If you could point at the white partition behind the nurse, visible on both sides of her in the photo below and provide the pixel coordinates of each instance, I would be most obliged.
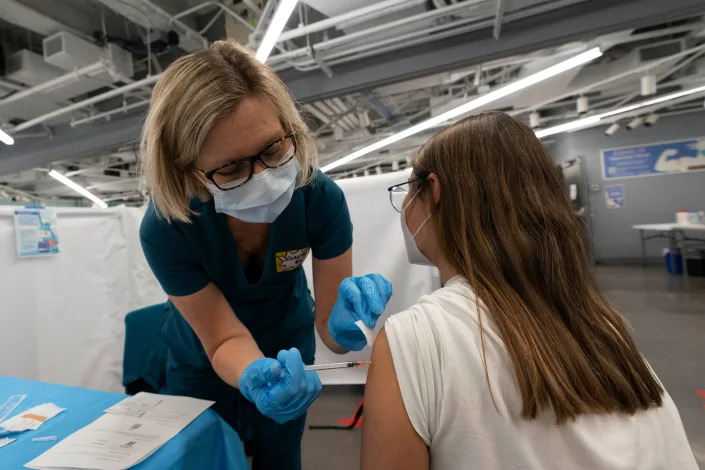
(61, 317)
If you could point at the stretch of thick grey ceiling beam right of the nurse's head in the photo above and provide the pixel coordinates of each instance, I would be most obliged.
(580, 21)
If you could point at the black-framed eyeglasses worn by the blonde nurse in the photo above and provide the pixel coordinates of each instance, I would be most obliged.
(235, 174)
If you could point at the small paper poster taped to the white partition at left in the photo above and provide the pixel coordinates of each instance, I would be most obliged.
(35, 232)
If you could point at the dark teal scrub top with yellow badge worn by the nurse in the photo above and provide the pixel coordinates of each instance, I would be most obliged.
(277, 309)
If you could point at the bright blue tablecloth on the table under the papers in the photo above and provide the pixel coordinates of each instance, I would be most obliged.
(208, 442)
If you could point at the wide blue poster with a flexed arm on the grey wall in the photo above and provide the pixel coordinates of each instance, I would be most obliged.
(654, 159)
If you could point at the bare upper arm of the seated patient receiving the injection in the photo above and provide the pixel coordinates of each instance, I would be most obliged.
(389, 440)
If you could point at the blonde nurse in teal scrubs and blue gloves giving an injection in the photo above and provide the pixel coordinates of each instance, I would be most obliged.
(236, 207)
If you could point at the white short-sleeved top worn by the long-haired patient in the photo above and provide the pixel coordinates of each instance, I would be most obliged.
(438, 360)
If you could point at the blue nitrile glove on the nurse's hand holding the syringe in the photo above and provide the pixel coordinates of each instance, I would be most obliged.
(280, 388)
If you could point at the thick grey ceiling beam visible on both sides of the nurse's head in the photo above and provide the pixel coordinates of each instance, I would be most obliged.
(581, 21)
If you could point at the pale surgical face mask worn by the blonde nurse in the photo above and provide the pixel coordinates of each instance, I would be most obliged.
(263, 198)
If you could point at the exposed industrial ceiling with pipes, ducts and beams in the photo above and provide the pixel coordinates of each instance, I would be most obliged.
(76, 75)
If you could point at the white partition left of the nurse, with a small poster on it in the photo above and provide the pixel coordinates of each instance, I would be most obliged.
(61, 317)
